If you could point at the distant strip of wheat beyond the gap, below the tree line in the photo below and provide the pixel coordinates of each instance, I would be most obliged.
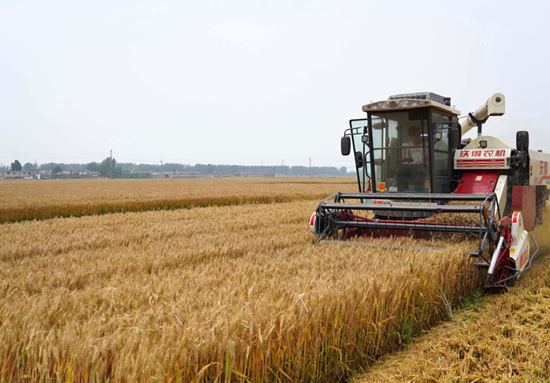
(27, 200)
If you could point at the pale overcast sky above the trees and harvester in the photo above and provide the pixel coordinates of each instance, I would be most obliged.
(253, 82)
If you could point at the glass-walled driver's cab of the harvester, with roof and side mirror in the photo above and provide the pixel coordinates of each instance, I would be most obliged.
(404, 144)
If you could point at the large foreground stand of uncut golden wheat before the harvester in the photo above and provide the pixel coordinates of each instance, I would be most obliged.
(220, 293)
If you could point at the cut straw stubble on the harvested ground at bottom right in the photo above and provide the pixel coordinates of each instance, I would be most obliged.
(502, 338)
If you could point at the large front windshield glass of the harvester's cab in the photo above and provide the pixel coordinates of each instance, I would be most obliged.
(400, 151)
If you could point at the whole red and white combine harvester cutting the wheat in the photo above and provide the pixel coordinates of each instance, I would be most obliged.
(418, 178)
